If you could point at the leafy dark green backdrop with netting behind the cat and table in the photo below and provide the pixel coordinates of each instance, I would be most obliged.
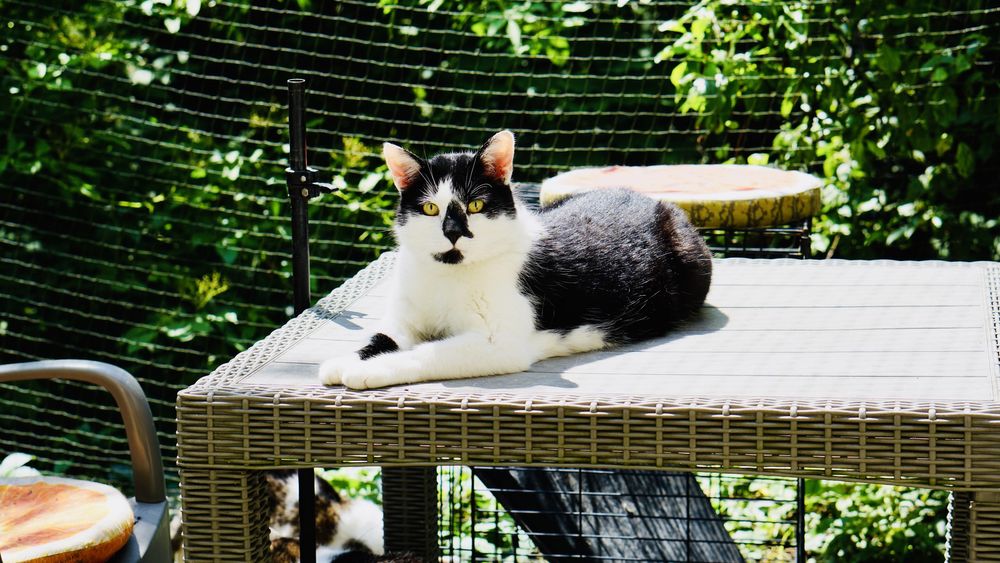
(143, 218)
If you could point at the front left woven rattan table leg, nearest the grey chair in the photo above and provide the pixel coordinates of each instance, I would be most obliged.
(224, 516)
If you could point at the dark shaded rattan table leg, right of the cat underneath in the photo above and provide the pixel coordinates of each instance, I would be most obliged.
(409, 502)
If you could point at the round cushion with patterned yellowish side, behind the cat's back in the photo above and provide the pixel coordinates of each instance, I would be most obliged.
(713, 195)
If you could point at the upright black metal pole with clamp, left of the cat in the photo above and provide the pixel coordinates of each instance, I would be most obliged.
(299, 177)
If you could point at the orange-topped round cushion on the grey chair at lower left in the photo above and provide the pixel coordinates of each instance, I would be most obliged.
(56, 520)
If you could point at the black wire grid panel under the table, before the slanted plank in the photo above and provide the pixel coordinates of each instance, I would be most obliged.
(573, 515)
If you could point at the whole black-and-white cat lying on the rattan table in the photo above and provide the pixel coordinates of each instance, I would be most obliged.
(483, 286)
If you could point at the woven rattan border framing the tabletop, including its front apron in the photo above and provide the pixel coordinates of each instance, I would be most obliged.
(224, 404)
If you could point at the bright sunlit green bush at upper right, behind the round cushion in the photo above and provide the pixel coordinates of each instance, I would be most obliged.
(902, 125)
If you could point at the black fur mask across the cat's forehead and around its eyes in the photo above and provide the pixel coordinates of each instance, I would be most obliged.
(468, 182)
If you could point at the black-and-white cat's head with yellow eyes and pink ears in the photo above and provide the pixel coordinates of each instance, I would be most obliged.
(456, 208)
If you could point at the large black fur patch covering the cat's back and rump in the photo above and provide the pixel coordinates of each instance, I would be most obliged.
(618, 260)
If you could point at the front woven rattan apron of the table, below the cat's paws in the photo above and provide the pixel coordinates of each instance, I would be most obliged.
(928, 447)
